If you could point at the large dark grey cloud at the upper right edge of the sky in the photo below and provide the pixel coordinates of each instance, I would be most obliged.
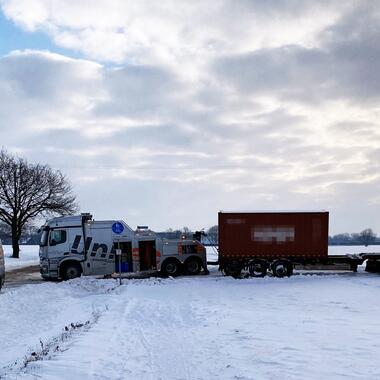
(345, 66)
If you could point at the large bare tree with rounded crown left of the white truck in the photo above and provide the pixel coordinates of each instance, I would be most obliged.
(28, 191)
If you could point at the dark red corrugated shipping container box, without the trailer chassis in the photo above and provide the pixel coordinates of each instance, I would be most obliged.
(273, 234)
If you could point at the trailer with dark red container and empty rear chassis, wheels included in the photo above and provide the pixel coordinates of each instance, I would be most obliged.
(277, 242)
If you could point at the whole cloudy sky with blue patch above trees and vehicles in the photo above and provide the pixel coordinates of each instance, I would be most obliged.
(164, 112)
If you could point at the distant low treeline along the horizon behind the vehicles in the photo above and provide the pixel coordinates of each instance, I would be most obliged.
(366, 237)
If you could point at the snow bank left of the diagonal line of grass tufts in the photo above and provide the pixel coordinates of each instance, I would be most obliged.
(34, 315)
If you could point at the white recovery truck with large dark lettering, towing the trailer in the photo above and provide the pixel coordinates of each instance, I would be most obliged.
(75, 245)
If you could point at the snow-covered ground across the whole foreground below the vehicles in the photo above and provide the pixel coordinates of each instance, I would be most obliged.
(203, 327)
